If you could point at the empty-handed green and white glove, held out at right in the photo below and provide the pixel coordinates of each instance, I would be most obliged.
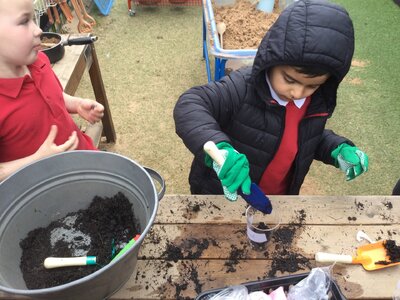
(351, 160)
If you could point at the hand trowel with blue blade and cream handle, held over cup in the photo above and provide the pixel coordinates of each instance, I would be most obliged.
(256, 198)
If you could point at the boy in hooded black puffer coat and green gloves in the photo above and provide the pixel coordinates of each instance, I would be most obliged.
(269, 119)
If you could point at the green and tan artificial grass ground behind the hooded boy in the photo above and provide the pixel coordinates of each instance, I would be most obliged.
(148, 60)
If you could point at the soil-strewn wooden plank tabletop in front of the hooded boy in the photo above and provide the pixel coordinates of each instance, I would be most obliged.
(218, 228)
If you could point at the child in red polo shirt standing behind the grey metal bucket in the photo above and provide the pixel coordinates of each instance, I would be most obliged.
(35, 119)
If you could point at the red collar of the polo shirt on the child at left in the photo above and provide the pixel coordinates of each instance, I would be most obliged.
(11, 87)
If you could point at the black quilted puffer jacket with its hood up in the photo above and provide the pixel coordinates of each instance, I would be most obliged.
(237, 109)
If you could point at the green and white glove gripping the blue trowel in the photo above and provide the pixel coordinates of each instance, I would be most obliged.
(234, 173)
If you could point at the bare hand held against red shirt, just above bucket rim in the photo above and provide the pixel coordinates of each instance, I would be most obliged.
(49, 147)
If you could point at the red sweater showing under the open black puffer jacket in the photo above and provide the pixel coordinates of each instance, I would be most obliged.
(275, 179)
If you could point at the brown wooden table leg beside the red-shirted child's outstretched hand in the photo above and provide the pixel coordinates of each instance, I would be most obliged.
(101, 97)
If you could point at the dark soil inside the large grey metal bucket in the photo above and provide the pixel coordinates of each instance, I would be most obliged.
(90, 232)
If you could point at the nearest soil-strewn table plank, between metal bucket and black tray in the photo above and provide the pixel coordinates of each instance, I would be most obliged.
(158, 279)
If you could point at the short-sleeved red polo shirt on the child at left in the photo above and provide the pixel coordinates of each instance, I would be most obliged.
(28, 107)
